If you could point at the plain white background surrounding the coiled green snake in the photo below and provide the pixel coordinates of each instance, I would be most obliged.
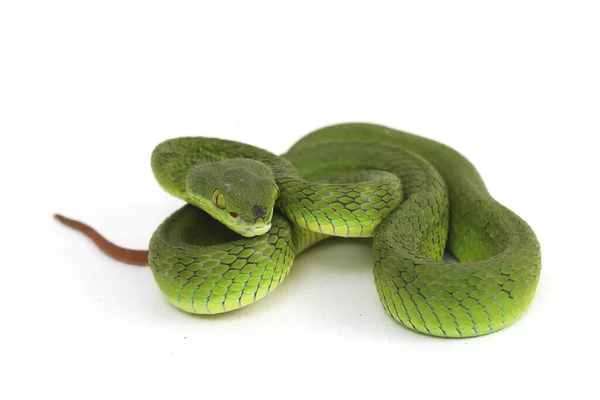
(87, 89)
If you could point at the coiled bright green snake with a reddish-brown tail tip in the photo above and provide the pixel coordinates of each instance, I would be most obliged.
(250, 213)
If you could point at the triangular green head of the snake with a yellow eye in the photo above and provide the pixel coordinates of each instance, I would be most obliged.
(240, 193)
